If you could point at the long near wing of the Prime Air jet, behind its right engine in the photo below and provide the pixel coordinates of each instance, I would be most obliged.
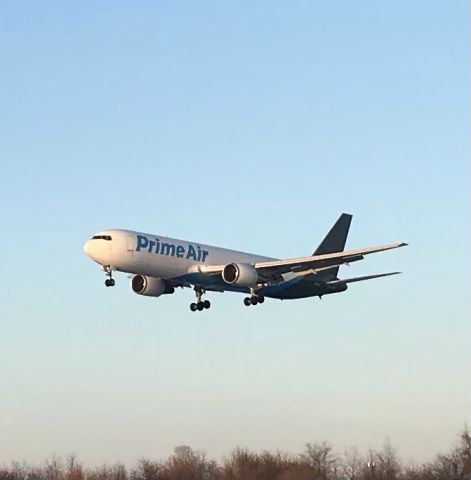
(273, 269)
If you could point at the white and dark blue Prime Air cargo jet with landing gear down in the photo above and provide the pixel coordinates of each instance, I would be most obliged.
(159, 265)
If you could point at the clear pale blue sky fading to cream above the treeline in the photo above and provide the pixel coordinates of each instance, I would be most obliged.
(249, 125)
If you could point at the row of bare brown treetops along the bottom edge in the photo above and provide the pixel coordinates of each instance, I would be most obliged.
(318, 461)
